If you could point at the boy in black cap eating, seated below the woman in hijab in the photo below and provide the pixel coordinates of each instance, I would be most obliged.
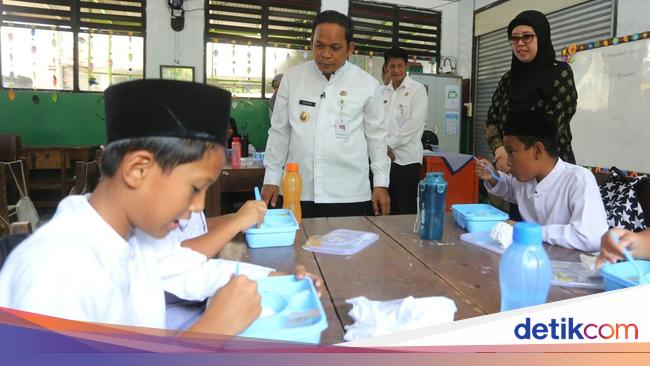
(563, 198)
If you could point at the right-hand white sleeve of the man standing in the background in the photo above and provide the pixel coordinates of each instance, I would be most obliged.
(414, 125)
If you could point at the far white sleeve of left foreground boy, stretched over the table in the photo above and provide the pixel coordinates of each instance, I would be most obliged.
(192, 276)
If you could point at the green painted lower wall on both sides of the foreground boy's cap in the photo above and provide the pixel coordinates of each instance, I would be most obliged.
(77, 119)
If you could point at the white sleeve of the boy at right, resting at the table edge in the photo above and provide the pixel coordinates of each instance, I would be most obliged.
(588, 220)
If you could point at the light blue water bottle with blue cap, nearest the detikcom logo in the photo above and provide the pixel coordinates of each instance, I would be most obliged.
(524, 270)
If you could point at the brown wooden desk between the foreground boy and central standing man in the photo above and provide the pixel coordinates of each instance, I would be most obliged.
(240, 180)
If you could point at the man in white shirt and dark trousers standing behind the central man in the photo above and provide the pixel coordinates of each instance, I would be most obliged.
(405, 109)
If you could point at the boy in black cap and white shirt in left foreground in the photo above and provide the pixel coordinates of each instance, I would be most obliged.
(166, 147)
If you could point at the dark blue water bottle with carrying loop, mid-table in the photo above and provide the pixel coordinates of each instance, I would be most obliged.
(431, 194)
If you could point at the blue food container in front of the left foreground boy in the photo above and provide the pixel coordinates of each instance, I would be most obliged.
(291, 311)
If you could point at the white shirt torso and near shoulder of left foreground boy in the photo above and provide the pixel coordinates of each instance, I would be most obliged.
(77, 267)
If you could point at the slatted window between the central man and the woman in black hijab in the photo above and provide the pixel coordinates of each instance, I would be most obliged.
(379, 27)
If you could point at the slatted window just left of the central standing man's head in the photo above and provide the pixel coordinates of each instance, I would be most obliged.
(251, 41)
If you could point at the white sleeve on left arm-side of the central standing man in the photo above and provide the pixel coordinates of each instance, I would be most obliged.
(277, 145)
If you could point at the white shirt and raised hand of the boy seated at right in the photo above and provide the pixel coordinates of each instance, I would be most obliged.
(566, 203)
